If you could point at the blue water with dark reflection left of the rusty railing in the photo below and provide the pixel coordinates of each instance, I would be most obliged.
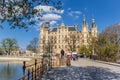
(10, 71)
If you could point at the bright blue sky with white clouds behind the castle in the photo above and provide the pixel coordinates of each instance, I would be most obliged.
(105, 12)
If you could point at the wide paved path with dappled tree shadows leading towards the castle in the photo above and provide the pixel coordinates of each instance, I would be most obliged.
(84, 69)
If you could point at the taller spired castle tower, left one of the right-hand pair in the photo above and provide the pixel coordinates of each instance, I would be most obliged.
(84, 32)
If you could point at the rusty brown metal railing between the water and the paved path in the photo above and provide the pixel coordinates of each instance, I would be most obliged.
(37, 69)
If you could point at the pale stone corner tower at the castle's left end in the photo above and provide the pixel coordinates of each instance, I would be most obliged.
(43, 38)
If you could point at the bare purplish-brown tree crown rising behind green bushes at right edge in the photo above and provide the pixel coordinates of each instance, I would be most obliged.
(113, 34)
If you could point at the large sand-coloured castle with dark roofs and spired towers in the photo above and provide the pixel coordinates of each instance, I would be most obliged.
(68, 38)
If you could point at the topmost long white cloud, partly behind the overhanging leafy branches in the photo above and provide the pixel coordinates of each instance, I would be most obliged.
(48, 9)
